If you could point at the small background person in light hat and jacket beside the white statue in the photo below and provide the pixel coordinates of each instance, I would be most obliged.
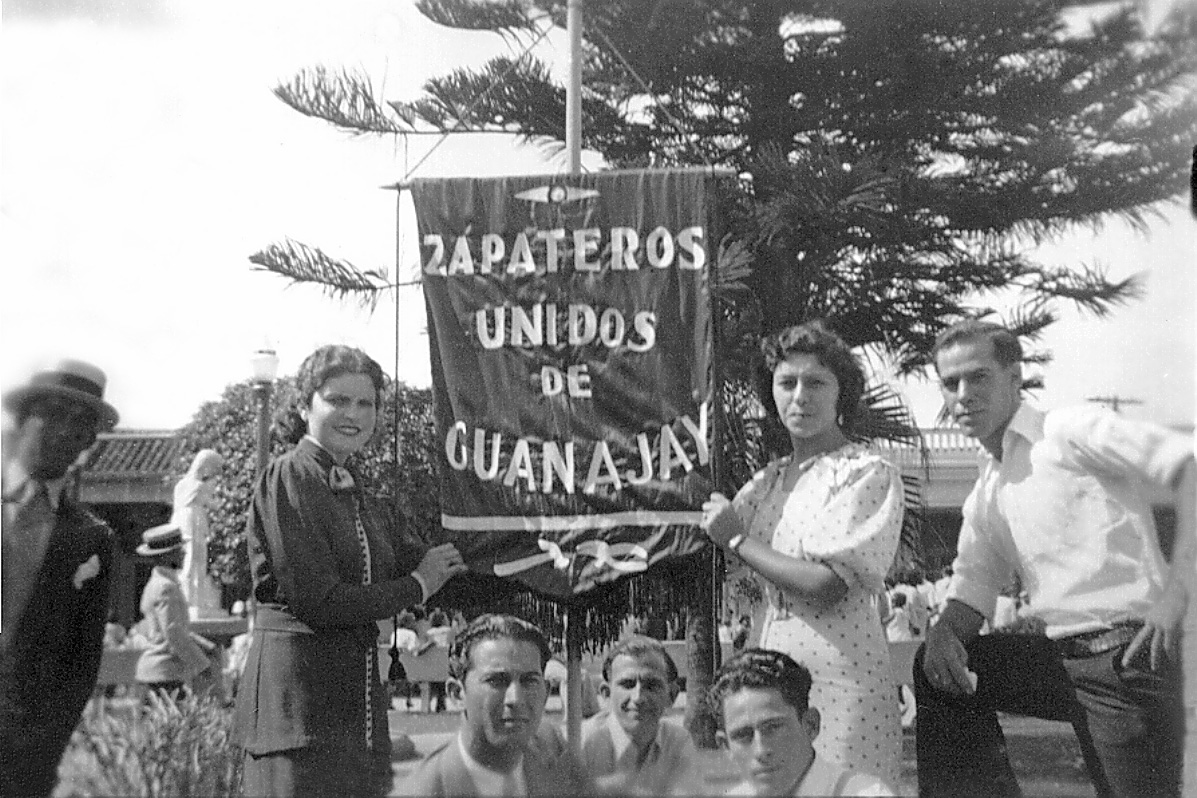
(174, 657)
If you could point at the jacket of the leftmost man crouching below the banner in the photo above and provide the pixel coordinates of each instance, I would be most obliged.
(550, 770)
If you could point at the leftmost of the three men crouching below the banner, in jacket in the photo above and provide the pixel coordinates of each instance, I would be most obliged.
(501, 750)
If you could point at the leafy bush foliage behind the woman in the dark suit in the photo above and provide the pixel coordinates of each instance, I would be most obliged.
(229, 425)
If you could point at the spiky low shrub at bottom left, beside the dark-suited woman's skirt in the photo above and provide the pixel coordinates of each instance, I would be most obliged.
(163, 750)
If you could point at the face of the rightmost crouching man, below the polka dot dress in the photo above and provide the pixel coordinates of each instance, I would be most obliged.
(770, 742)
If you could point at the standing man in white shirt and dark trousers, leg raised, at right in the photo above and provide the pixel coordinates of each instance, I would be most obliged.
(1061, 503)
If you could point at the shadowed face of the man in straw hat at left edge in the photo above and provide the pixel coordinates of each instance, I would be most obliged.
(52, 435)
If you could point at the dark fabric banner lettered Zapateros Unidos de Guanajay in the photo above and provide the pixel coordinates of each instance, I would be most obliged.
(570, 327)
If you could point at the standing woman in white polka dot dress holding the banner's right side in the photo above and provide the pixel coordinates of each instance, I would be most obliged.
(821, 527)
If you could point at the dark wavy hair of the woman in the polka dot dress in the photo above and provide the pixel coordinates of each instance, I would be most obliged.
(815, 338)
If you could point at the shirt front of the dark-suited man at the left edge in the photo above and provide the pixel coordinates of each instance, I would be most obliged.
(29, 522)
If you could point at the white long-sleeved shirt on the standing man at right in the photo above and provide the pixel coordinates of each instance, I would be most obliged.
(1068, 509)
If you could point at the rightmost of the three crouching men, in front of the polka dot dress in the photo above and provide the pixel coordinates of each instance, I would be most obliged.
(761, 700)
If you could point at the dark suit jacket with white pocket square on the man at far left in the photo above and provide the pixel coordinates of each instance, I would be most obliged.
(48, 663)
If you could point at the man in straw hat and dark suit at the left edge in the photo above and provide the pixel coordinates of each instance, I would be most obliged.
(56, 566)
